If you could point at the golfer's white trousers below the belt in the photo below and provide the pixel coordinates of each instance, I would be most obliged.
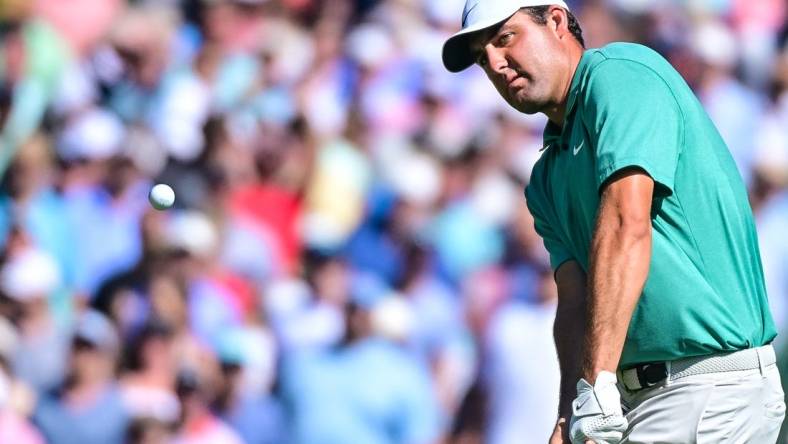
(745, 406)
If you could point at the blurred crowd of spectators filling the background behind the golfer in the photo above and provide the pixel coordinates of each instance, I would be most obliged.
(350, 259)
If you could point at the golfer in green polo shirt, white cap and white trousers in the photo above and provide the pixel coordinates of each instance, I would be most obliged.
(662, 321)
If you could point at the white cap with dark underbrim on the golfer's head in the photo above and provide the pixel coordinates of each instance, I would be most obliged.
(477, 16)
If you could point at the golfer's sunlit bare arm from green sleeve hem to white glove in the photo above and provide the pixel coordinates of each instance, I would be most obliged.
(618, 267)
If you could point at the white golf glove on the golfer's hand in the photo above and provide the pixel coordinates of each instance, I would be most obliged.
(596, 412)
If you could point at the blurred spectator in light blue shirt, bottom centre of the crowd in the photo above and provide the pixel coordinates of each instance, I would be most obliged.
(369, 389)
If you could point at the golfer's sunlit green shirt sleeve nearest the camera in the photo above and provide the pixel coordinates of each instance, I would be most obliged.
(634, 121)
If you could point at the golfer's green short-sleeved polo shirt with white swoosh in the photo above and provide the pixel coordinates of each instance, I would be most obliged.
(627, 107)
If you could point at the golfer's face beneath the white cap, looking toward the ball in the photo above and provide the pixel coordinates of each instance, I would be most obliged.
(523, 59)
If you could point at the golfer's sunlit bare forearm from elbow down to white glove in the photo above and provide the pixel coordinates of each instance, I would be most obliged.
(619, 263)
